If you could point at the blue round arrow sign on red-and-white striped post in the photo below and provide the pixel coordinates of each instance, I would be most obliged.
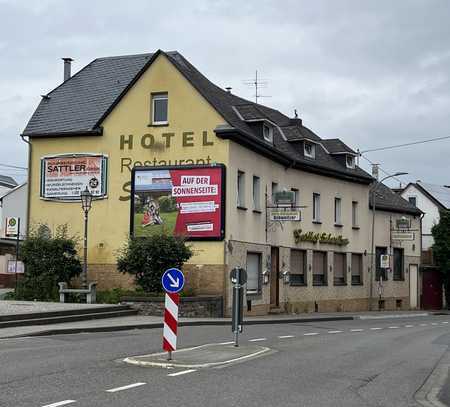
(173, 283)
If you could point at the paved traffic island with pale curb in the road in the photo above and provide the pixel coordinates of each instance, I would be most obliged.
(204, 356)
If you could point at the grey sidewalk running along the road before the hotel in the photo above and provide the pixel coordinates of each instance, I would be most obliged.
(148, 322)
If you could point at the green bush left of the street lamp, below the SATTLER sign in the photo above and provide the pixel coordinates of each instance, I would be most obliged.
(48, 260)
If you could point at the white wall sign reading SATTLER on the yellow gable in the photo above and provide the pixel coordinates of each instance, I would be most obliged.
(63, 177)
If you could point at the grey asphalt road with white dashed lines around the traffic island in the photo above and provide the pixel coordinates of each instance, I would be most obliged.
(343, 363)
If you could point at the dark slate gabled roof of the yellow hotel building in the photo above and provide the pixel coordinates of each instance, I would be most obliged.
(80, 104)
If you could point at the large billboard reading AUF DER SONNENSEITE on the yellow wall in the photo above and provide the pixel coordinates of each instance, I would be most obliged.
(180, 200)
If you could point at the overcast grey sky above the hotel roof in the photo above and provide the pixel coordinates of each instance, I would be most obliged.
(373, 73)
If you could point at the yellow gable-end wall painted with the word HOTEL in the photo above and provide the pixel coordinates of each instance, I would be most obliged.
(129, 139)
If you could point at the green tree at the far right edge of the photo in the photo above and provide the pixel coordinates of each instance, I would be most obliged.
(441, 250)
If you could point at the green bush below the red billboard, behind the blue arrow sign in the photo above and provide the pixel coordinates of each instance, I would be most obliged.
(148, 257)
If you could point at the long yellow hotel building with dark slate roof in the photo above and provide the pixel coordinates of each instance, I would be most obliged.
(154, 110)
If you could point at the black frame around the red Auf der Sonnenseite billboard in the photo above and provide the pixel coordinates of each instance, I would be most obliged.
(222, 168)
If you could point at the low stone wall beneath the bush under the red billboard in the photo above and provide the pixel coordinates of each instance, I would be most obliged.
(190, 307)
